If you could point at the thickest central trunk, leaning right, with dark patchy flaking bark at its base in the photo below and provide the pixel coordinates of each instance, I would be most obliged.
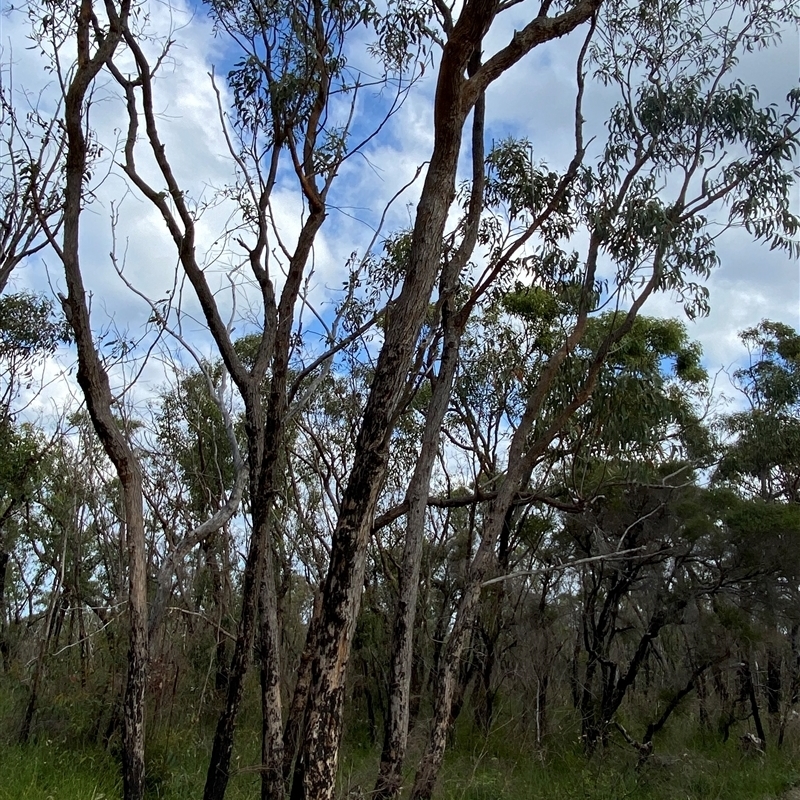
(343, 586)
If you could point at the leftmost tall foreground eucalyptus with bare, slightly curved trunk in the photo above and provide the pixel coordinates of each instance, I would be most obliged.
(95, 41)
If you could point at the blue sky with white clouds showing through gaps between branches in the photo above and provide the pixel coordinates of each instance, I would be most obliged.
(535, 101)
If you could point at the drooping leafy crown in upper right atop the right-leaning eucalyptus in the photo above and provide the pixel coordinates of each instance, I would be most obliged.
(682, 115)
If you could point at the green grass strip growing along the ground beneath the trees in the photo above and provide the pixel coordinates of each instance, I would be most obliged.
(497, 767)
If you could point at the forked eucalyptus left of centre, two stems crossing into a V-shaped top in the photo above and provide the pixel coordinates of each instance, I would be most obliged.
(293, 62)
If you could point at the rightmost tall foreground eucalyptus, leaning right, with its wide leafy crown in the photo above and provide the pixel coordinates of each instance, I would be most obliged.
(672, 130)
